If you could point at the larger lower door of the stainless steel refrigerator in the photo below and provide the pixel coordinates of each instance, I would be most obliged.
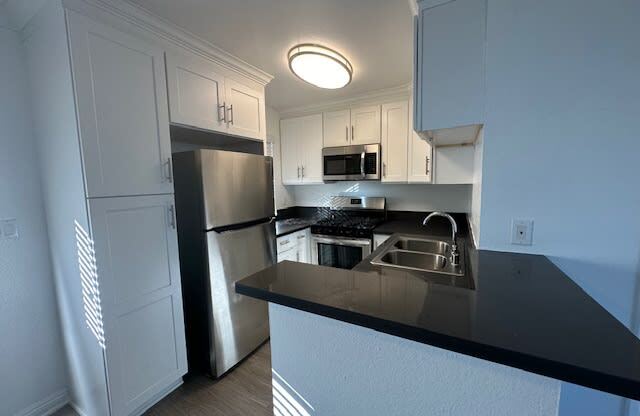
(237, 324)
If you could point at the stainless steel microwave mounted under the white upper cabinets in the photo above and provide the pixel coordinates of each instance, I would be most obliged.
(351, 163)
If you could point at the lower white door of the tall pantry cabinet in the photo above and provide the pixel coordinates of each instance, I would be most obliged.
(136, 255)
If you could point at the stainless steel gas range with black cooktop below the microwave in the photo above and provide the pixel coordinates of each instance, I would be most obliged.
(345, 237)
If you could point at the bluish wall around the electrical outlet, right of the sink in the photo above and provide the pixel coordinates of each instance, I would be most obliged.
(562, 146)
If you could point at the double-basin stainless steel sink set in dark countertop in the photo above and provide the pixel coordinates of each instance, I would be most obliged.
(420, 254)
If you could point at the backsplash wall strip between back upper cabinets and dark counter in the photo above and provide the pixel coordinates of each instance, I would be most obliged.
(452, 198)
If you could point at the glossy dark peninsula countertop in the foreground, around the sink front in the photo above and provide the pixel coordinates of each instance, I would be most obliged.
(522, 311)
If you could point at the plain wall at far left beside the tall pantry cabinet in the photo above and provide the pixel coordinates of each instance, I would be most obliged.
(32, 363)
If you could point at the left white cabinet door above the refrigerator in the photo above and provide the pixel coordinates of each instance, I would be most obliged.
(196, 93)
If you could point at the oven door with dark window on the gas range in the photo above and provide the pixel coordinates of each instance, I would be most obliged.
(342, 253)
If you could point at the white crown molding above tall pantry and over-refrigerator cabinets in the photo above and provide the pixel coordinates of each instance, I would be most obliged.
(168, 31)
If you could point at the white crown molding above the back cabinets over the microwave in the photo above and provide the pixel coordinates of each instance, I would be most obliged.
(386, 94)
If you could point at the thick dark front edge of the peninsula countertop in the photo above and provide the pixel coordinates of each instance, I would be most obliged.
(548, 368)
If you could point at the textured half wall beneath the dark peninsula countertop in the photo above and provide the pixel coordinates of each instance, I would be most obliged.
(326, 367)
